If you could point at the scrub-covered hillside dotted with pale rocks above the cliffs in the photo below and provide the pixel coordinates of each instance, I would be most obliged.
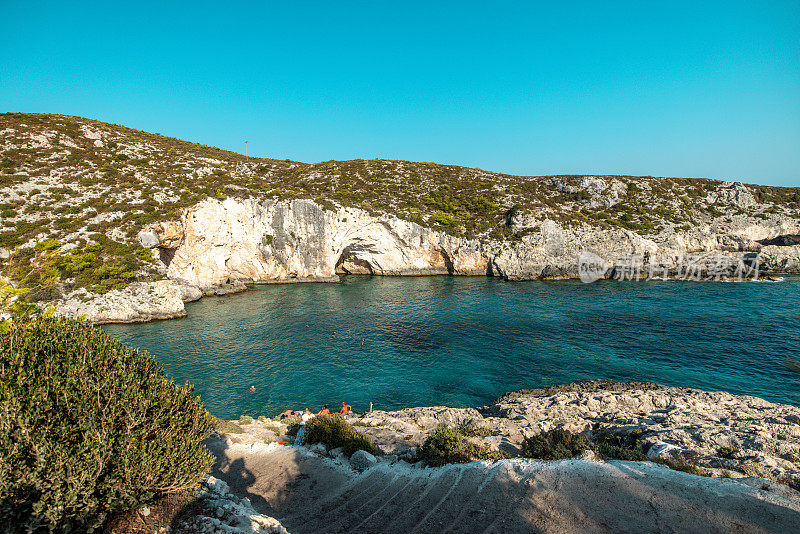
(75, 193)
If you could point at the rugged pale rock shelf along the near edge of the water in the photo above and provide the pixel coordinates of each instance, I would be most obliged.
(722, 435)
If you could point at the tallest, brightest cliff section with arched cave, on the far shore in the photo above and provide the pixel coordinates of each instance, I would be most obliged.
(222, 242)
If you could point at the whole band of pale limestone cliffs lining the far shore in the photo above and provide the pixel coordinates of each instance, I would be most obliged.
(220, 245)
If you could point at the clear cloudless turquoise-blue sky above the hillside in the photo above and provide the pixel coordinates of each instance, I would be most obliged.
(651, 88)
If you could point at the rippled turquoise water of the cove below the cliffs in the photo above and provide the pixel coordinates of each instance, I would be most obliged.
(465, 341)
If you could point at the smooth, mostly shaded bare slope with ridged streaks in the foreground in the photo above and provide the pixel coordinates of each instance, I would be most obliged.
(312, 493)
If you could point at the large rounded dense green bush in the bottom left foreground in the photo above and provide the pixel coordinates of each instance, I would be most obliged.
(89, 427)
